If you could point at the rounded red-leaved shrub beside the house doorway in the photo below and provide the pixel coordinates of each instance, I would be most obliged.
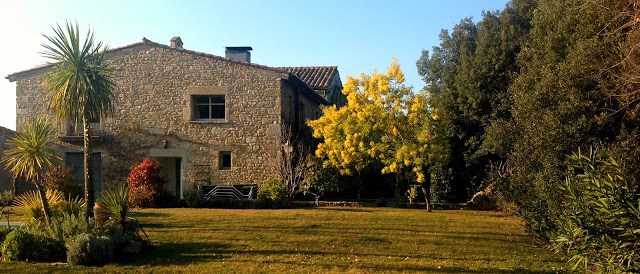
(146, 184)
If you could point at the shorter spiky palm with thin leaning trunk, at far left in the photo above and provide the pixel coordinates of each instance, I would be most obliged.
(30, 155)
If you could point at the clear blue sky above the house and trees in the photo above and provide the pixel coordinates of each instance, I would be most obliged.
(357, 36)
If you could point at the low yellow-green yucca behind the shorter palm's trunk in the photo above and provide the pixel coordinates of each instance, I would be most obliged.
(31, 205)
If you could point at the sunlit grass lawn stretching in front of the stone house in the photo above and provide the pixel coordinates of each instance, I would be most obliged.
(327, 240)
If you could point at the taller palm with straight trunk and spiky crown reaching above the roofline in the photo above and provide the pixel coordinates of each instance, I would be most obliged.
(81, 85)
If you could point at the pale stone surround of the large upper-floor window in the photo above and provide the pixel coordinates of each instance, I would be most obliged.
(193, 91)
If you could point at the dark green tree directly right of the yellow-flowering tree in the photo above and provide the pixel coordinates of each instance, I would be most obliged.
(467, 79)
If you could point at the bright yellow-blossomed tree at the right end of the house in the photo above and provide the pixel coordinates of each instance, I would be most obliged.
(382, 121)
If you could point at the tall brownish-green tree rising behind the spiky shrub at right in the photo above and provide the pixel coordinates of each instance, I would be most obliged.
(559, 102)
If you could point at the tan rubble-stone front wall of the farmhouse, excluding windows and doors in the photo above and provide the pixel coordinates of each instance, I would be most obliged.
(153, 107)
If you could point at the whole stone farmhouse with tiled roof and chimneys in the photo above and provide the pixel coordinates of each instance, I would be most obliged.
(208, 120)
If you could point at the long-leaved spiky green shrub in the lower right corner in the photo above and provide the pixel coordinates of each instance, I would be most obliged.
(600, 224)
